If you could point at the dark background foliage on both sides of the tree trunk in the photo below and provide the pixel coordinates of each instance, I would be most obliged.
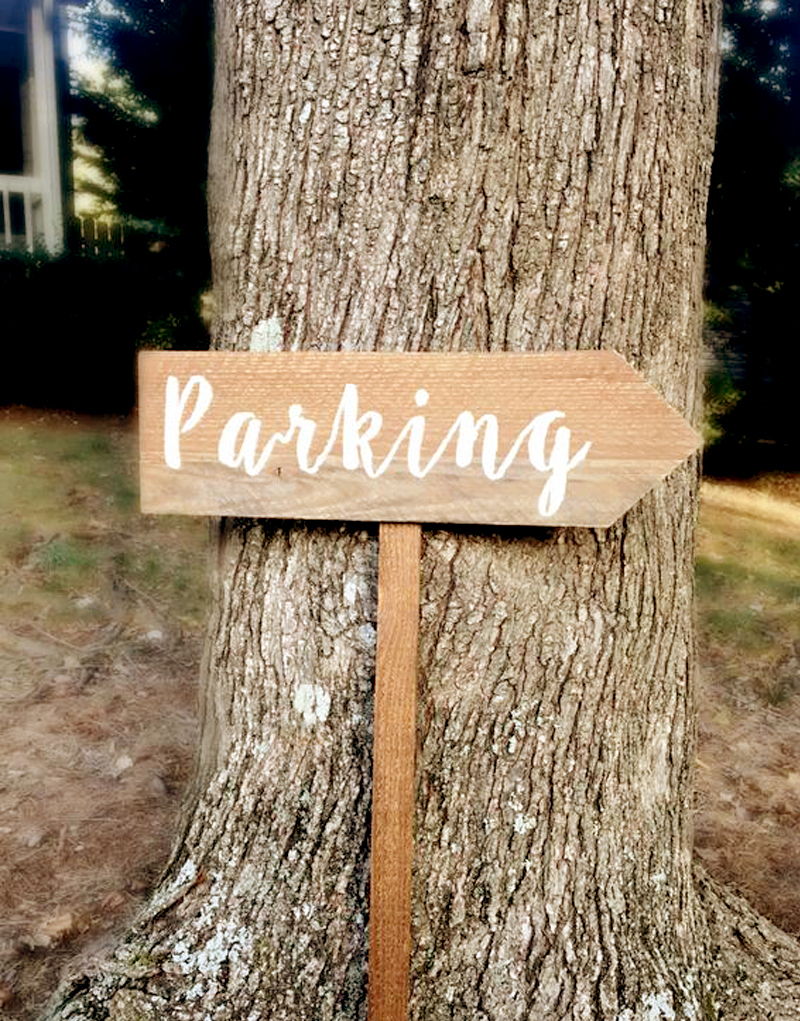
(141, 96)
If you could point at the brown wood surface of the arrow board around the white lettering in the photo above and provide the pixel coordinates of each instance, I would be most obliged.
(637, 440)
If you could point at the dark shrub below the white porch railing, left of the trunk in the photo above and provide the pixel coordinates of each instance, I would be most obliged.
(76, 322)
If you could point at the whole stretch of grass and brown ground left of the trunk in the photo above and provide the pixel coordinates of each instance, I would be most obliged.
(102, 618)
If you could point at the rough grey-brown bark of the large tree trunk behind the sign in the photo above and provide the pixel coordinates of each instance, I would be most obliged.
(431, 175)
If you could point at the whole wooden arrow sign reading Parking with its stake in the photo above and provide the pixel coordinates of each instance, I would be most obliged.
(565, 439)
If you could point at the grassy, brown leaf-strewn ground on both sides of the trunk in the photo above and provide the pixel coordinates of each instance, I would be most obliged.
(101, 642)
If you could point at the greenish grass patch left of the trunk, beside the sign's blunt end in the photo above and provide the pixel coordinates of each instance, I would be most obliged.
(72, 531)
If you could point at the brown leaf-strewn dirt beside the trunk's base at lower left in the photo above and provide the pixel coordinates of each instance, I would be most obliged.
(95, 757)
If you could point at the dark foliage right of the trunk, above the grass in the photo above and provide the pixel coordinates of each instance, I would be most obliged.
(755, 245)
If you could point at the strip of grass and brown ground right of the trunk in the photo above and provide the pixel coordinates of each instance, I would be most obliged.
(747, 824)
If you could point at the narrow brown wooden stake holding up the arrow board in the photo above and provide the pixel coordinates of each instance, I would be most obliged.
(393, 770)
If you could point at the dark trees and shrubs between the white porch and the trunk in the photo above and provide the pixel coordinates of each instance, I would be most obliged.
(140, 94)
